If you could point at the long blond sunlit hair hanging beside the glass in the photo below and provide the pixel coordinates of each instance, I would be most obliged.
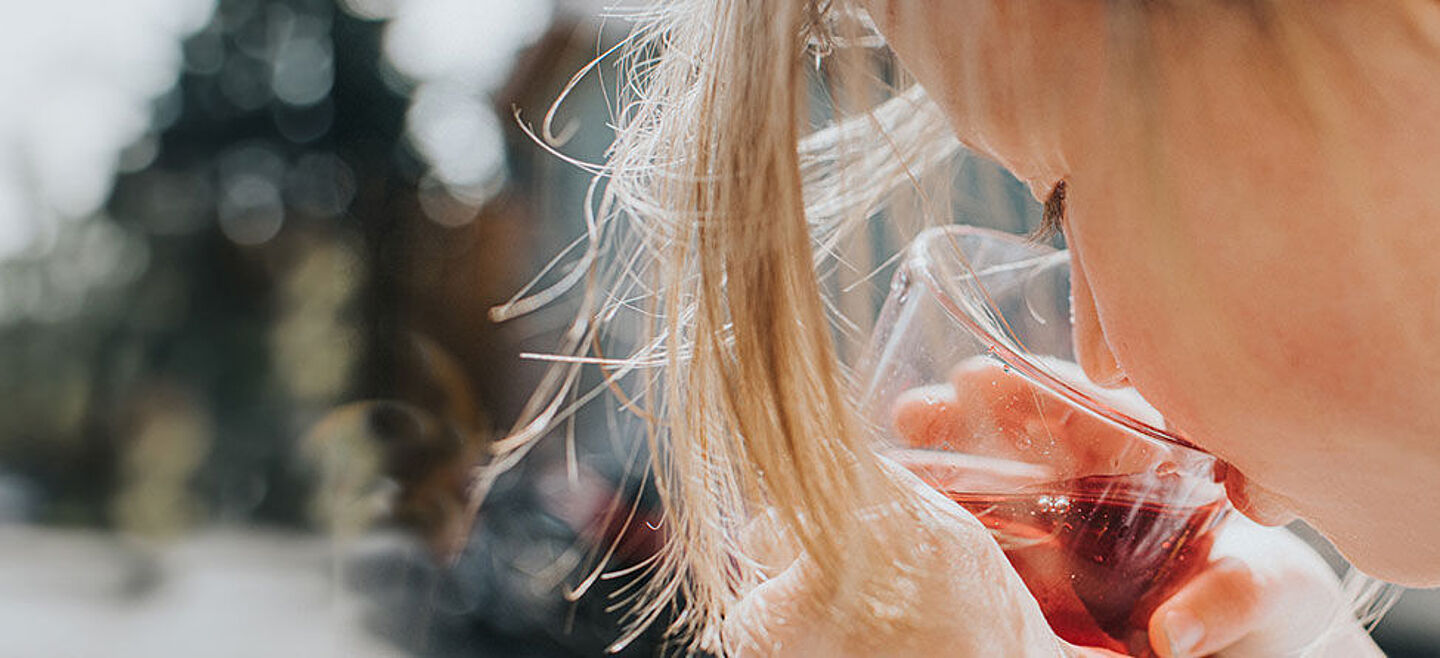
(715, 224)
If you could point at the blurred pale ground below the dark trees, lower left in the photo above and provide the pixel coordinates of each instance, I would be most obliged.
(218, 595)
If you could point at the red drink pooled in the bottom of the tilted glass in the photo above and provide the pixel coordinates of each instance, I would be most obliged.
(1098, 558)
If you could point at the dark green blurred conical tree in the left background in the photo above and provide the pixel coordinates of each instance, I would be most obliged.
(261, 227)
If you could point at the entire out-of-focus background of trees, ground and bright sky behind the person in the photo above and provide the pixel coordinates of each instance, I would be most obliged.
(247, 256)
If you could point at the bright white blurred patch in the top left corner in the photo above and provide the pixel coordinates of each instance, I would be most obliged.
(80, 93)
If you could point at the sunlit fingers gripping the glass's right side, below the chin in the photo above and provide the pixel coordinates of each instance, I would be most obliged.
(1265, 594)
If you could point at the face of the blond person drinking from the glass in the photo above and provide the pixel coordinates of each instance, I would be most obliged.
(1255, 235)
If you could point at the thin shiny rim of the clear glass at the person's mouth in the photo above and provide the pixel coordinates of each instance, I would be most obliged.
(918, 264)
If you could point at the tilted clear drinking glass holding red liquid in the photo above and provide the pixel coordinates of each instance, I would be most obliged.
(973, 384)
